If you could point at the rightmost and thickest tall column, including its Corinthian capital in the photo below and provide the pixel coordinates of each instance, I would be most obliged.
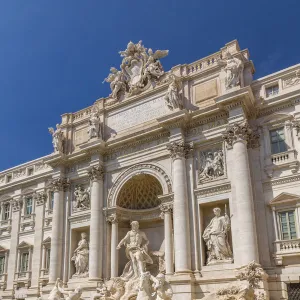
(238, 136)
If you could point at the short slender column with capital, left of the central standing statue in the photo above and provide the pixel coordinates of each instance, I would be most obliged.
(114, 259)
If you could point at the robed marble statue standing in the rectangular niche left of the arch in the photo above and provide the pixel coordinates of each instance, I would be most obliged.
(81, 257)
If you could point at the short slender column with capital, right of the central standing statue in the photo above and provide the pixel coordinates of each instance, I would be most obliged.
(166, 214)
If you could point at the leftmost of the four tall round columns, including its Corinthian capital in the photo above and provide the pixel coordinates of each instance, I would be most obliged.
(58, 186)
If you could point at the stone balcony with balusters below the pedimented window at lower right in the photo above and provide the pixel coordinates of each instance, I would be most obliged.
(286, 248)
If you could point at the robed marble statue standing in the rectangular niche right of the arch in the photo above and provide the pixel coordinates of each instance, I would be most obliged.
(216, 237)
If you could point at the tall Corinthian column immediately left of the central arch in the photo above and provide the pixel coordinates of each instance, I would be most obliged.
(96, 227)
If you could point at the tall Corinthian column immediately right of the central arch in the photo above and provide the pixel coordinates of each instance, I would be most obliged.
(182, 247)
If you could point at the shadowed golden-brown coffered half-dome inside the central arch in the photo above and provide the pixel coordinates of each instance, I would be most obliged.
(140, 192)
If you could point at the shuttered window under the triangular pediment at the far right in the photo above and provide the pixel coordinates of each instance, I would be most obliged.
(287, 225)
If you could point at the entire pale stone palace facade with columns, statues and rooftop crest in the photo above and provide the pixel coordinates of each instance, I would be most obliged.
(204, 158)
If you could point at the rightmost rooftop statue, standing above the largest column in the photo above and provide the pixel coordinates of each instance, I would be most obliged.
(233, 68)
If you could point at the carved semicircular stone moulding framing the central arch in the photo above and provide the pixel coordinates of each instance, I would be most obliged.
(157, 169)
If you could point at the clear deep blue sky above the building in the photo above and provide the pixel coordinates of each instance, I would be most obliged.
(55, 54)
